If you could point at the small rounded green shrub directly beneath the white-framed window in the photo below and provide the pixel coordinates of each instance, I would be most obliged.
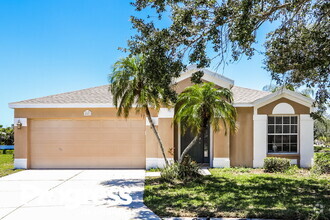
(275, 164)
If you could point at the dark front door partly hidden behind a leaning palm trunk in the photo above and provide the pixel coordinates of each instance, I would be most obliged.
(200, 152)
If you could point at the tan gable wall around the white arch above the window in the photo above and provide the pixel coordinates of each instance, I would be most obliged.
(298, 108)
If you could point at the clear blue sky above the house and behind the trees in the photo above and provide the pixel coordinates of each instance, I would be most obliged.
(54, 46)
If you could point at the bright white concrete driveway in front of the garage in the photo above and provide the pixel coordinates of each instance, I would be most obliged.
(74, 194)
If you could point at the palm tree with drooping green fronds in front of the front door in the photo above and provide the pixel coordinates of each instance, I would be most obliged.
(201, 105)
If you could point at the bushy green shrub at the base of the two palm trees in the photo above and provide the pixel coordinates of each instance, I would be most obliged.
(185, 171)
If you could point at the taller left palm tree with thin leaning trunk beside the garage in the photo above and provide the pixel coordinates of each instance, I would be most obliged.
(130, 87)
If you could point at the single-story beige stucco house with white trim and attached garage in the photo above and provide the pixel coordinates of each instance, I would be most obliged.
(80, 129)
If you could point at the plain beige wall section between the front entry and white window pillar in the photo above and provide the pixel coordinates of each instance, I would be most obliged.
(241, 142)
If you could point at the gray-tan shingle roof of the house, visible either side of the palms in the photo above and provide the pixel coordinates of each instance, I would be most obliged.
(101, 95)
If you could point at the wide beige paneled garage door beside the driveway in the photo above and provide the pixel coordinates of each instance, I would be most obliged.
(87, 143)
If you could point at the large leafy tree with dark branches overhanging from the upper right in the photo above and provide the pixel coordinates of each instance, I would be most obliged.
(201, 31)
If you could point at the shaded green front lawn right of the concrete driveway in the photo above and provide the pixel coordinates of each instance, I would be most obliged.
(245, 193)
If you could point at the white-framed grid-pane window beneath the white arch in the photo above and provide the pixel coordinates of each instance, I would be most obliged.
(282, 134)
